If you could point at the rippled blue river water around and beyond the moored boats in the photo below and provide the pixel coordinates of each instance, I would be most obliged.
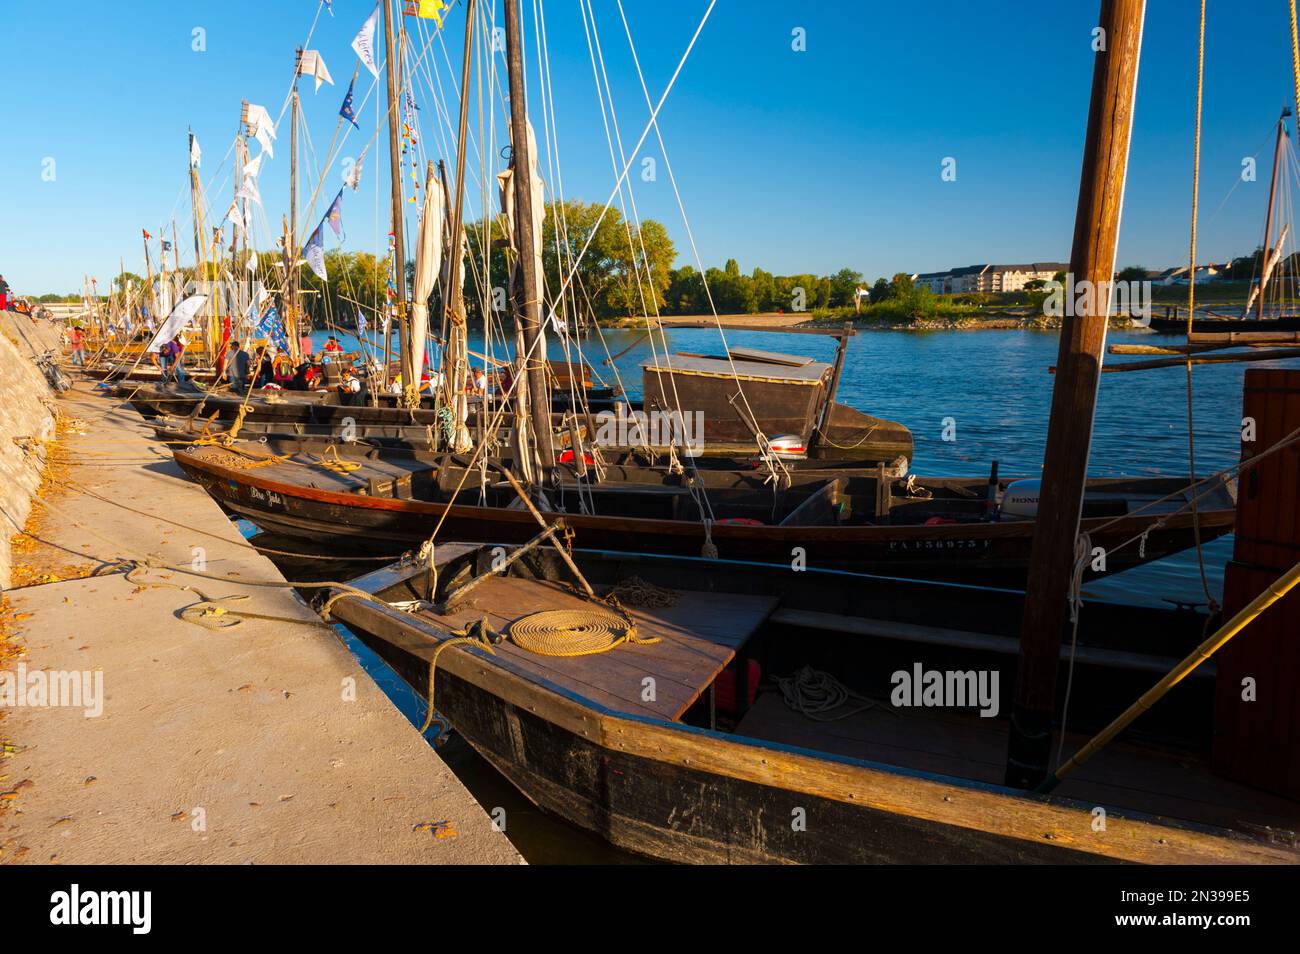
(996, 389)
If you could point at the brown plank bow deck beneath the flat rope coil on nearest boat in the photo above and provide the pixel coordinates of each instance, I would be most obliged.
(699, 636)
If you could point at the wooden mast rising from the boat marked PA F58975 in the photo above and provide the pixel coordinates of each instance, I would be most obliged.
(530, 305)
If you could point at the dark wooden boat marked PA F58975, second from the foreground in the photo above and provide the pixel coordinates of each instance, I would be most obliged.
(935, 528)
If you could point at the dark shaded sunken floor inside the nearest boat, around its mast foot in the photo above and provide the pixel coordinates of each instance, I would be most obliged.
(964, 745)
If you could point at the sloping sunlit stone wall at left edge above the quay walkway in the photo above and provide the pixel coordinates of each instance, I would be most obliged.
(27, 423)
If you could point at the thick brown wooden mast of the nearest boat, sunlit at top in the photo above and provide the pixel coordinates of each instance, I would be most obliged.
(1097, 231)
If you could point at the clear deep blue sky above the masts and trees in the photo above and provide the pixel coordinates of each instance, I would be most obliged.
(796, 162)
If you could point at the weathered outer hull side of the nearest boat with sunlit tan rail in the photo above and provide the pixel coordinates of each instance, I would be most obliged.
(688, 795)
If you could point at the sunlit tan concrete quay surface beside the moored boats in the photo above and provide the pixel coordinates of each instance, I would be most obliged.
(262, 744)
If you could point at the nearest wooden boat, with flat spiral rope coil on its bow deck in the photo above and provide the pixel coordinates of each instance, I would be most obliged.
(657, 748)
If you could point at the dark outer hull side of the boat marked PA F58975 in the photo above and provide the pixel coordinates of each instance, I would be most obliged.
(987, 553)
